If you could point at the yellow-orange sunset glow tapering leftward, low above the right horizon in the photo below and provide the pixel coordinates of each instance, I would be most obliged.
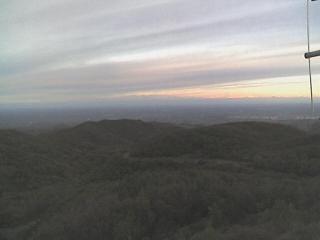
(286, 87)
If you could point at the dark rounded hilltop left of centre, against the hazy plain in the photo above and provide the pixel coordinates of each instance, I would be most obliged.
(108, 133)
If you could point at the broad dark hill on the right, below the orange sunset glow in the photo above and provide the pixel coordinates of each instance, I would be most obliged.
(226, 140)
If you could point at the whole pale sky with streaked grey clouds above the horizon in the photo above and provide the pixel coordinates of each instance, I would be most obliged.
(100, 51)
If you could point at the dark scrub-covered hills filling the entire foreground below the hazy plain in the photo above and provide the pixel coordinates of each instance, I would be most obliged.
(132, 180)
